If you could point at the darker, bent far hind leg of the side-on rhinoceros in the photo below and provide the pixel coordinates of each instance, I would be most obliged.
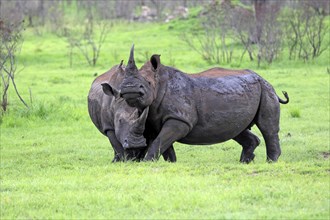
(249, 142)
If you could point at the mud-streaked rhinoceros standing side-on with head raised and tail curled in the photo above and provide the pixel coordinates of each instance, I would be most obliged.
(210, 107)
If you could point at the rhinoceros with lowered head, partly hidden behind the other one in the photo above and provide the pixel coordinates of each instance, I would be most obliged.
(122, 124)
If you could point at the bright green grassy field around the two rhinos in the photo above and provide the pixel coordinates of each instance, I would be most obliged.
(55, 164)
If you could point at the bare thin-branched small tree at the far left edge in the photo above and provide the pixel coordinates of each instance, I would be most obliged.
(10, 46)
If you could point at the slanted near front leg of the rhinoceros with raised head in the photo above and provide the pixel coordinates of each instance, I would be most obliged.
(171, 131)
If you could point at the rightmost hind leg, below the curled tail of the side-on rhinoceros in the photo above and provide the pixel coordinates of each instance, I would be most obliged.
(268, 120)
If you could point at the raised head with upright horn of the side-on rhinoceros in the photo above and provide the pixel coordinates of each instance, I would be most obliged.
(138, 89)
